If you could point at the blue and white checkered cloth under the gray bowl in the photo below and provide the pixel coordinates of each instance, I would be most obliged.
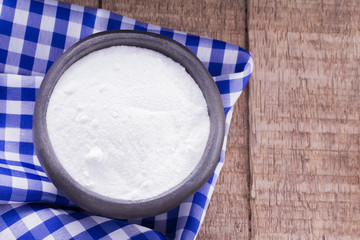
(33, 34)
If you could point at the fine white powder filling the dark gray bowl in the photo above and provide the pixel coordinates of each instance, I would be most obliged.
(127, 122)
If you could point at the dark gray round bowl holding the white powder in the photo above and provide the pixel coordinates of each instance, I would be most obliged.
(115, 208)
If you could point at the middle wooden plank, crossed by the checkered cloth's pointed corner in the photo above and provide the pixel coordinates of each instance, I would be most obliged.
(228, 213)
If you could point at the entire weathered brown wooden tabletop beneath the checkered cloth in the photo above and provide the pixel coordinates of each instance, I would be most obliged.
(292, 166)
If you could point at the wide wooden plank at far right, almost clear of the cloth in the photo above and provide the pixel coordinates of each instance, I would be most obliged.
(304, 119)
